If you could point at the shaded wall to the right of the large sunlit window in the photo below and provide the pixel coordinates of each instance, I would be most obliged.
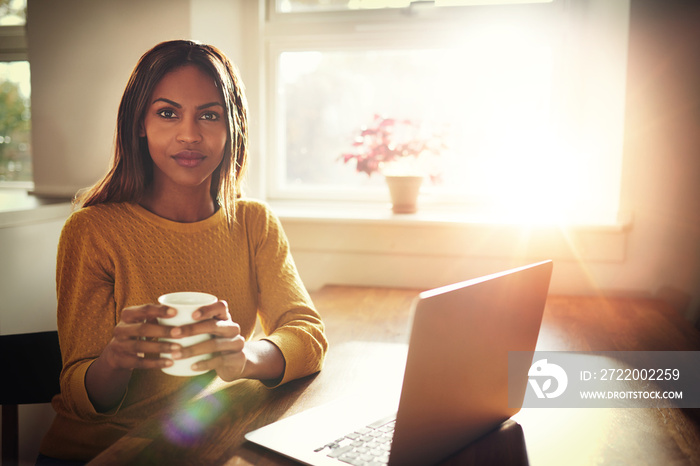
(661, 175)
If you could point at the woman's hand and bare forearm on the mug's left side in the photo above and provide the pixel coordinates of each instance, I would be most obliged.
(134, 345)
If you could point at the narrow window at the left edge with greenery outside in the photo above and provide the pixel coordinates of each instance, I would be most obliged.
(15, 113)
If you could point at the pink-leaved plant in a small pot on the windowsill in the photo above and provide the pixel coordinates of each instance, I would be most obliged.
(403, 151)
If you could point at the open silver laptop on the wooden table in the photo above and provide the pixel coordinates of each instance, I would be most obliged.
(455, 386)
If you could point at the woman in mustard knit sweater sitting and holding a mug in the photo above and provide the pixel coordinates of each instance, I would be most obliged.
(168, 217)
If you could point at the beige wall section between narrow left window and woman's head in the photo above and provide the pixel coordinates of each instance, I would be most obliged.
(81, 53)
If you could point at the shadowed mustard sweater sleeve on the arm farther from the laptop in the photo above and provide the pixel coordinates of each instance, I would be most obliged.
(86, 309)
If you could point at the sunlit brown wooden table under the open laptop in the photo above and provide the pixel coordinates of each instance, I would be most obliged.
(368, 331)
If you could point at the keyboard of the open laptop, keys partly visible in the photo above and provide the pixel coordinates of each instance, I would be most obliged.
(368, 446)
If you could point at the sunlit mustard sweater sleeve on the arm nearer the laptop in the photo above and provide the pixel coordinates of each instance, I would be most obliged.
(287, 314)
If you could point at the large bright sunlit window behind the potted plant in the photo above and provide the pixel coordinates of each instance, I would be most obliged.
(528, 98)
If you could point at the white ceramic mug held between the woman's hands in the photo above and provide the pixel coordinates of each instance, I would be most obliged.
(185, 302)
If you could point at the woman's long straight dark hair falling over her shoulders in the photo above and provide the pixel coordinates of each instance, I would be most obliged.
(131, 169)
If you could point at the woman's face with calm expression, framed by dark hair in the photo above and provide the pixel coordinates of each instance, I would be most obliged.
(186, 129)
